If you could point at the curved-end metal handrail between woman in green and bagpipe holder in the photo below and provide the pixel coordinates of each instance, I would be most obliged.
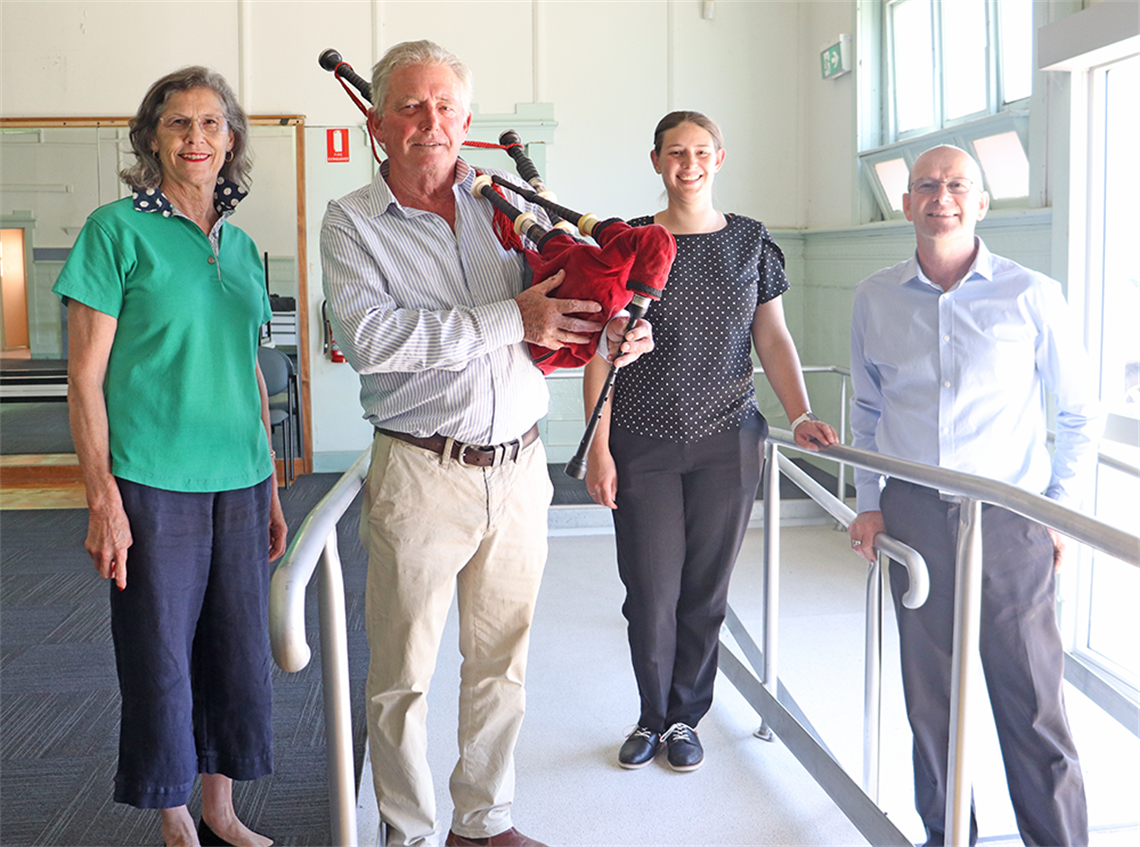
(316, 543)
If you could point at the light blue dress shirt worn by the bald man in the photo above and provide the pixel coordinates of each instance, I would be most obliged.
(958, 379)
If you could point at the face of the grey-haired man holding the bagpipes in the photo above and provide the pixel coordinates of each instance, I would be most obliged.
(425, 120)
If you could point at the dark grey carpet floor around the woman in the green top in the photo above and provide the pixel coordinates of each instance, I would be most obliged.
(60, 697)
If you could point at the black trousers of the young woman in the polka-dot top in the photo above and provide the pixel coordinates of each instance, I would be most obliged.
(682, 514)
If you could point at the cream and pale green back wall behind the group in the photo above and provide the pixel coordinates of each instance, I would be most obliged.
(610, 68)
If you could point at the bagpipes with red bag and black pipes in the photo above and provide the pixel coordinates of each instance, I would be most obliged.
(626, 270)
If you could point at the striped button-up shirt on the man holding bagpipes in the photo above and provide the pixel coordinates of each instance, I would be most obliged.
(427, 315)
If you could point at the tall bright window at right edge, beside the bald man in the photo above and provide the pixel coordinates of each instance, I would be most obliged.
(1097, 219)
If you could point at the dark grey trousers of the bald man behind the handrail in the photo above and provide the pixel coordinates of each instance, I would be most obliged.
(1022, 657)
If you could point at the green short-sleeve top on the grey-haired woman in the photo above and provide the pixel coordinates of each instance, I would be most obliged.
(183, 403)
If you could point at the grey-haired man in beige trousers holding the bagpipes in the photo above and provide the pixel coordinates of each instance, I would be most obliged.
(435, 315)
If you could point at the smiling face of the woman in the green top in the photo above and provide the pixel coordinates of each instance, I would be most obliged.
(192, 158)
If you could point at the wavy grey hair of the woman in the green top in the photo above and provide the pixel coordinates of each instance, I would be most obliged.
(146, 173)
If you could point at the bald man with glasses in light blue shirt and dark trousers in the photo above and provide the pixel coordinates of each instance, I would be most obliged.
(952, 354)
